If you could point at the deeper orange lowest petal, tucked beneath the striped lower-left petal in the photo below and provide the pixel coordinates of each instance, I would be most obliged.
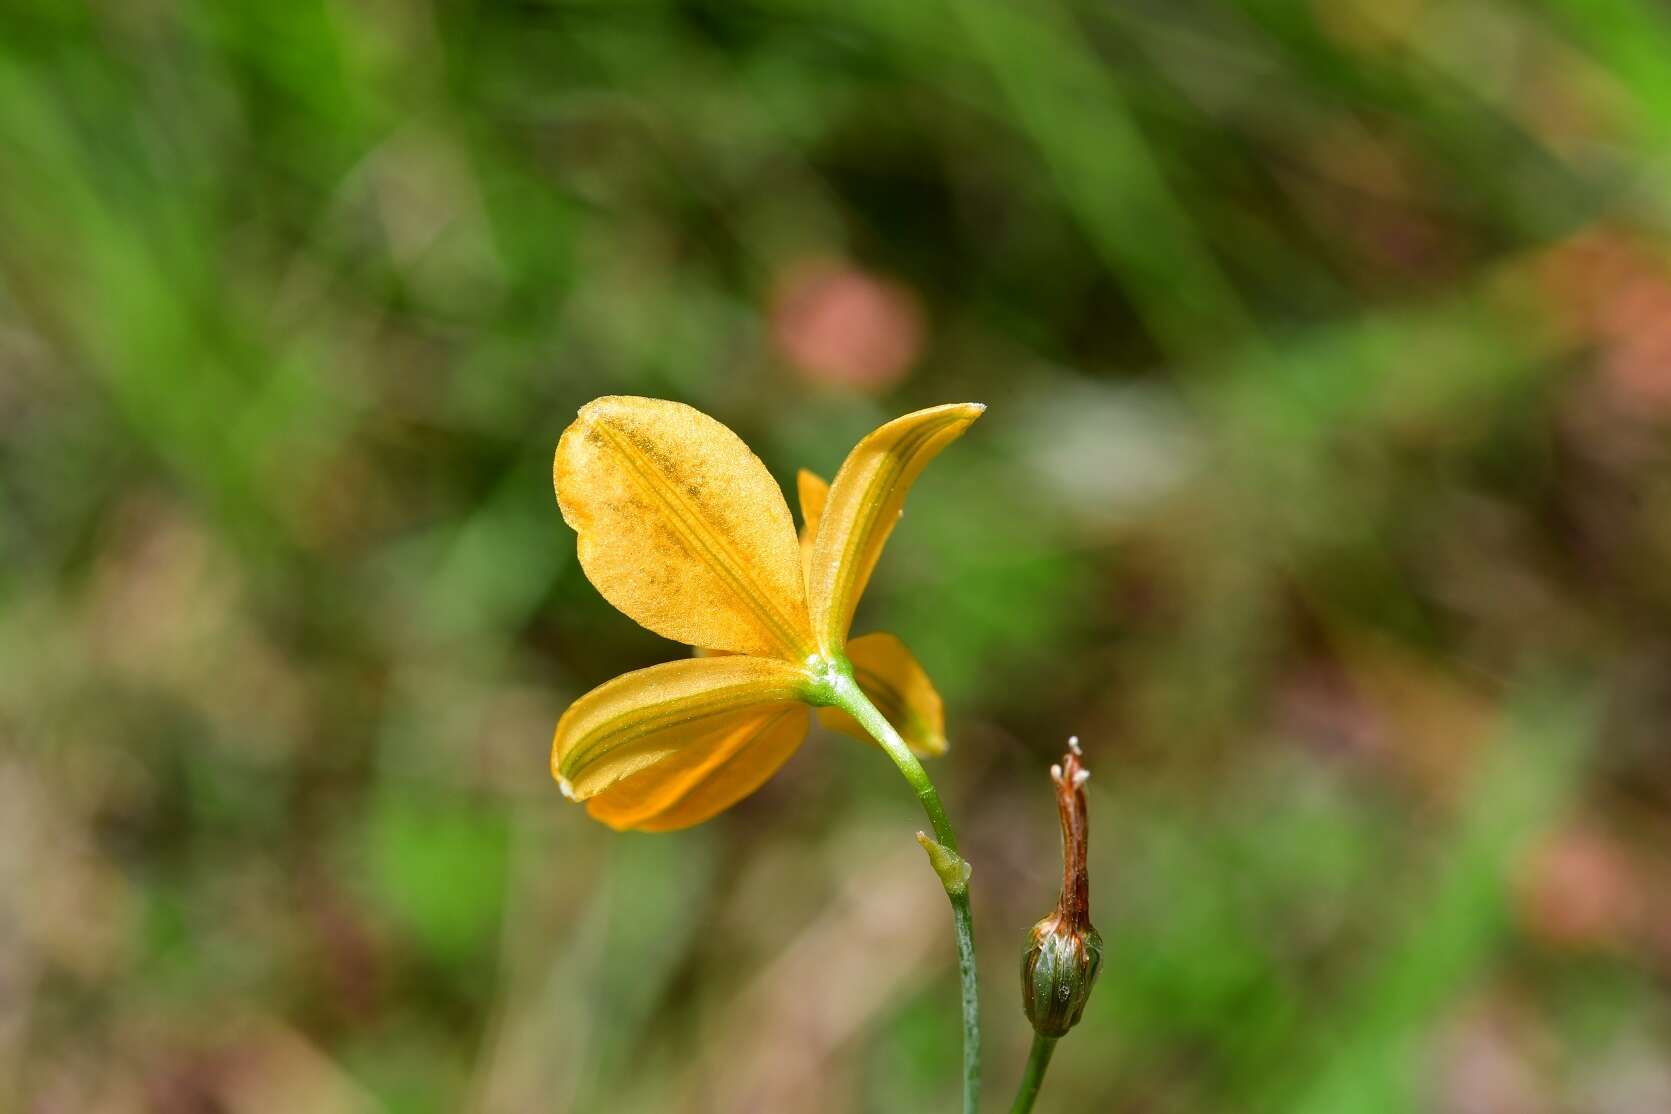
(709, 774)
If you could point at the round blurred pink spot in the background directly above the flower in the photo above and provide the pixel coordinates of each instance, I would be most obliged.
(843, 327)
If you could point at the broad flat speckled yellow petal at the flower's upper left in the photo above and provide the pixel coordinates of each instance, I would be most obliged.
(683, 529)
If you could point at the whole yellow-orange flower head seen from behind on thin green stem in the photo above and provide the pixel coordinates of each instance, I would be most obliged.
(684, 530)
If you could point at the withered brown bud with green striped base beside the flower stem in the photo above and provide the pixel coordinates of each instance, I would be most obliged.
(1064, 951)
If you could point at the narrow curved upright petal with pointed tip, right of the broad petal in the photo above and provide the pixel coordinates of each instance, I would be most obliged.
(863, 507)
